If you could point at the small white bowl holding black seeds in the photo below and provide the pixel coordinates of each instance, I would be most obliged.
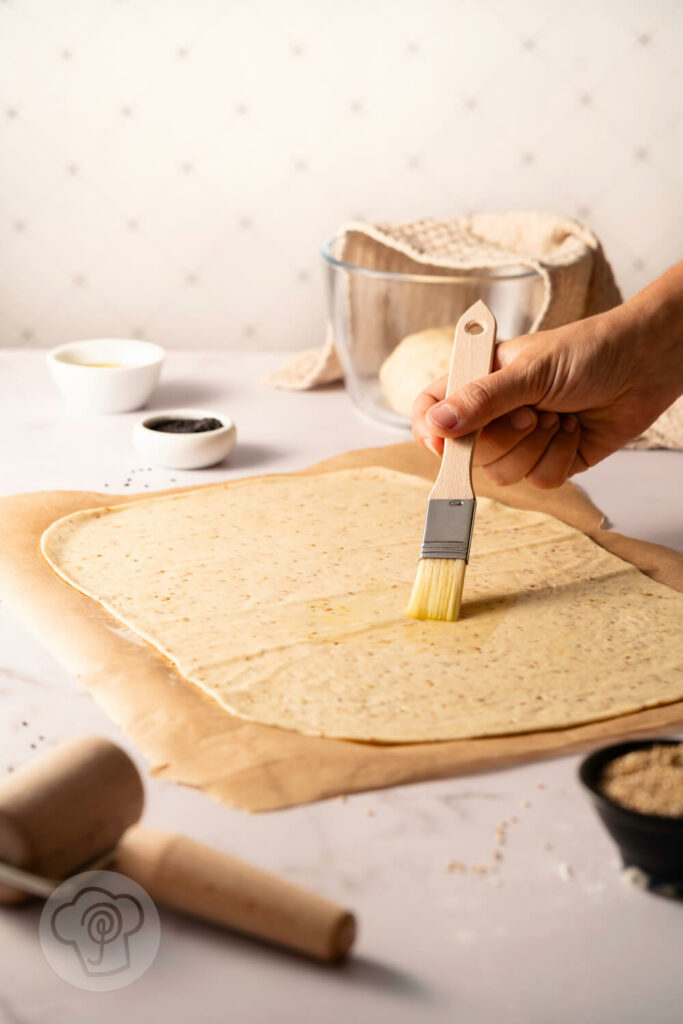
(185, 451)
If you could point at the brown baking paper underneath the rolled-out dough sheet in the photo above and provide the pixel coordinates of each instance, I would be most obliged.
(190, 739)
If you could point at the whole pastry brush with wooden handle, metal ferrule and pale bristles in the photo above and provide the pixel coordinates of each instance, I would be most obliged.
(446, 543)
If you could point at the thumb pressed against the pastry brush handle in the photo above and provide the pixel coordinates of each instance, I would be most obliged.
(473, 407)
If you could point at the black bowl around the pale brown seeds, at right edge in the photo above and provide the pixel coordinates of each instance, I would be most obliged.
(651, 842)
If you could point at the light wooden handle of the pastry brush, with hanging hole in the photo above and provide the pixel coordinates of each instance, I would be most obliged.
(473, 358)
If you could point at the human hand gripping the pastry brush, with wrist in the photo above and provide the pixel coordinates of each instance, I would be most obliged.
(561, 401)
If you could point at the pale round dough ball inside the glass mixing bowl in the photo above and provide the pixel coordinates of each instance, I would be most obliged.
(415, 364)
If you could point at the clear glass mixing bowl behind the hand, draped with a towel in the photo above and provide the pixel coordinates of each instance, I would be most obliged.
(371, 312)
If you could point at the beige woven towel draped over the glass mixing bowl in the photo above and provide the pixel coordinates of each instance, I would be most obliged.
(577, 282)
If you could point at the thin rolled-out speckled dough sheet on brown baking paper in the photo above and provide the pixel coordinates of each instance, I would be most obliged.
(284, 600)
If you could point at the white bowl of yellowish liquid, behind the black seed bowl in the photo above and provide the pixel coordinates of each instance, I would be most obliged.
(106, 375)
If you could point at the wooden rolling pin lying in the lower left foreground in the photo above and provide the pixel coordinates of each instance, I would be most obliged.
(79, 802)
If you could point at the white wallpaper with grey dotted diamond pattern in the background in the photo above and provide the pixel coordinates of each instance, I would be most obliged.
(170, 168)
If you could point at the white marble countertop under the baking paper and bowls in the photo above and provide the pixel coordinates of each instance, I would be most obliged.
(561, 940)
